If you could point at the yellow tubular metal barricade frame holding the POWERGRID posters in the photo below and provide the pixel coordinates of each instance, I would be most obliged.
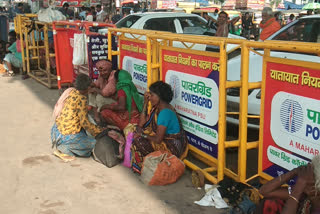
(156, 40)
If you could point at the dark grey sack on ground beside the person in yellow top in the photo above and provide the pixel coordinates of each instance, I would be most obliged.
(106, 150)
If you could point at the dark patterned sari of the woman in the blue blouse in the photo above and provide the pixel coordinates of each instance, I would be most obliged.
(176, 144)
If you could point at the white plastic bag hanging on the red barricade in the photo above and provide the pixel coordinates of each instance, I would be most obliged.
(80, 51)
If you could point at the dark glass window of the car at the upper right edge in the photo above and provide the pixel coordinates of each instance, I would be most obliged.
(305, 30)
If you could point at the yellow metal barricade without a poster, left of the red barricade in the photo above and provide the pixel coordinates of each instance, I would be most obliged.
(37, 49)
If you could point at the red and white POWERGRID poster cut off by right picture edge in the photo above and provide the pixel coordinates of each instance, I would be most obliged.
(291, 132)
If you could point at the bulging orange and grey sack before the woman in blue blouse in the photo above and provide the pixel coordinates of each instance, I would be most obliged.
(161, 168)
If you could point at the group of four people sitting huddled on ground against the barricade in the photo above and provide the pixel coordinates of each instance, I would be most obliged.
(113, 100)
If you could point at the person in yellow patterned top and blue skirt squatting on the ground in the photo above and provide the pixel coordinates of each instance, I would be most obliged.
(68, 133)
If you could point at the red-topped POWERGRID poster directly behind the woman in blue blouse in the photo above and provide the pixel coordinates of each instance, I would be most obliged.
(194, 78)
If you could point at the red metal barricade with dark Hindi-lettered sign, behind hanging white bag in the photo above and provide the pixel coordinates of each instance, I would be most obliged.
(63, 39)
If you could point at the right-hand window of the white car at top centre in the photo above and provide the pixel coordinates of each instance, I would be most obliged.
(193, 25)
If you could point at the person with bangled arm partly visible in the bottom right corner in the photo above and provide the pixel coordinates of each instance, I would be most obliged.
(304, 197)
